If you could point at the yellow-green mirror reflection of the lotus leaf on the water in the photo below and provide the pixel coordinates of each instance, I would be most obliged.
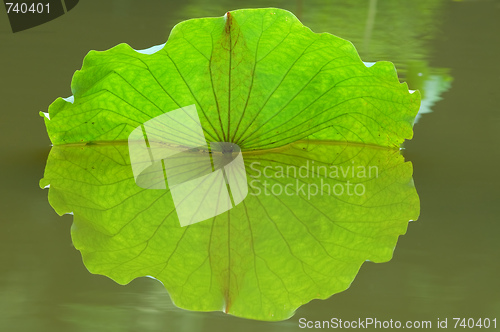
(263, 258)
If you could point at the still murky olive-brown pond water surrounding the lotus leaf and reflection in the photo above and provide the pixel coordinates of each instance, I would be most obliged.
(446, 265)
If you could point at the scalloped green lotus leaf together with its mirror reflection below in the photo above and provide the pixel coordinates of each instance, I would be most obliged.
(259, 79)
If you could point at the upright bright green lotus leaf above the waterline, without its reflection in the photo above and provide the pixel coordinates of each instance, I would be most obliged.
(258, 78)
